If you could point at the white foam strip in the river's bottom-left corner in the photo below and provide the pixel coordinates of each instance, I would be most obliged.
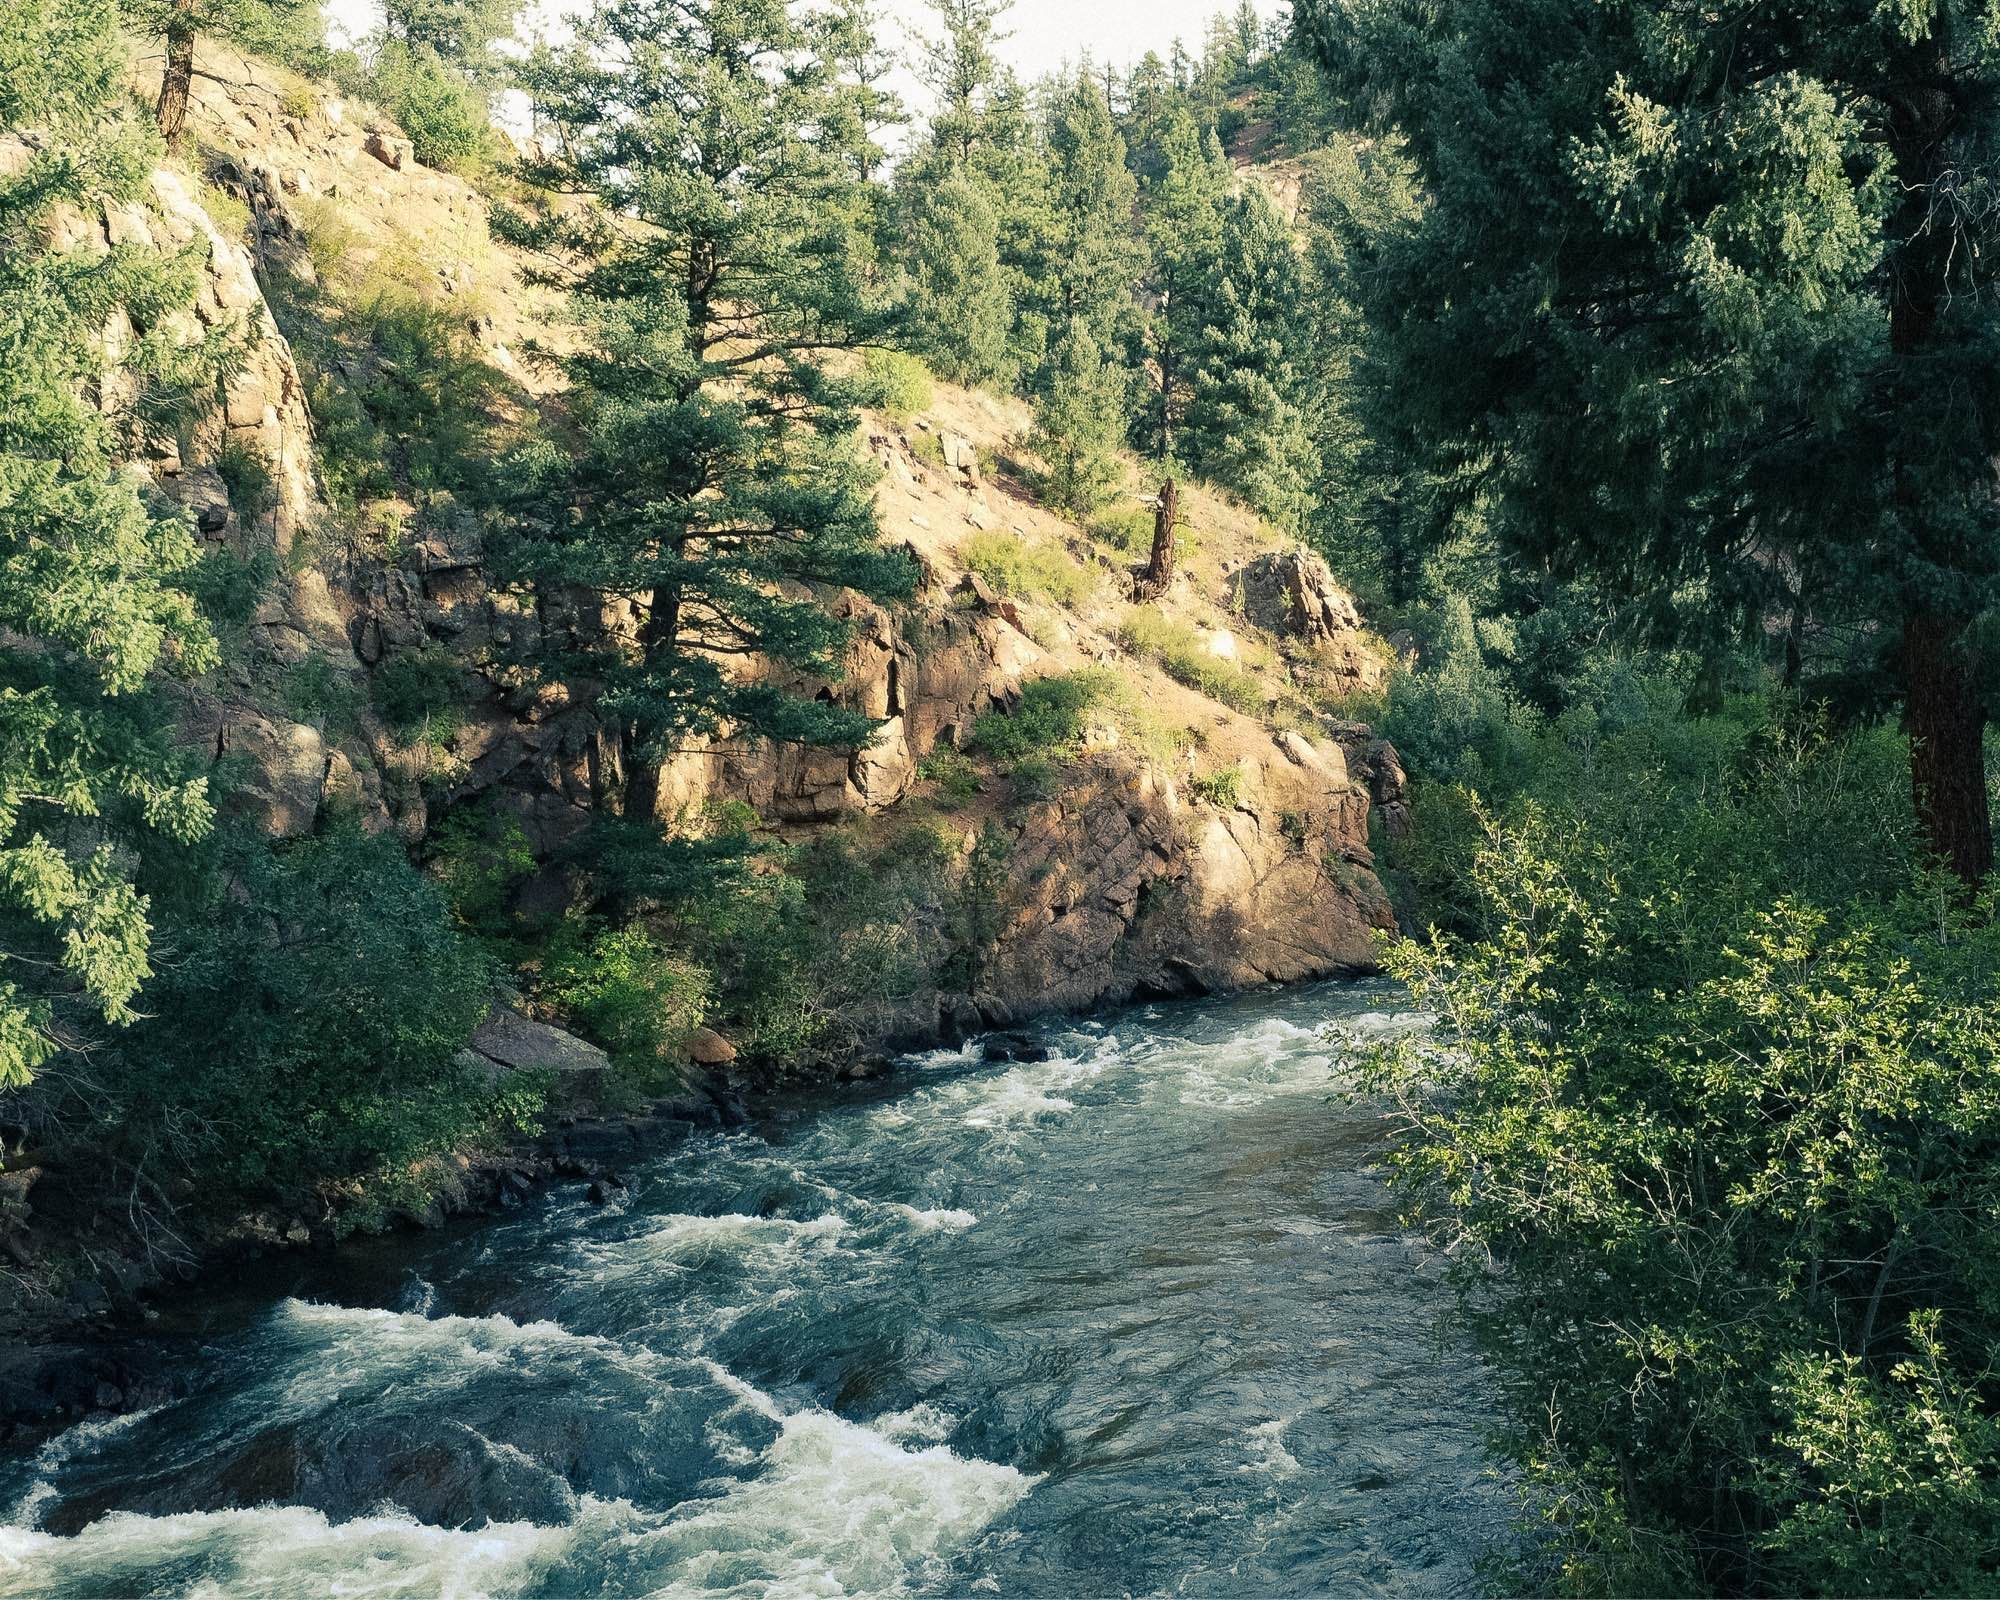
(279, 1551)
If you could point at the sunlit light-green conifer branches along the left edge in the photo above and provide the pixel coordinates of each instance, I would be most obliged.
(89, 601)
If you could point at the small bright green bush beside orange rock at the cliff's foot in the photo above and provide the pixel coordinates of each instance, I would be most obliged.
(629, 993)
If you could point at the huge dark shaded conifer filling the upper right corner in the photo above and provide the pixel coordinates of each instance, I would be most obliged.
(1727, 319)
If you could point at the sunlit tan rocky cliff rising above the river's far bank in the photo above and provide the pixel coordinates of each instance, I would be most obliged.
(1233, 851)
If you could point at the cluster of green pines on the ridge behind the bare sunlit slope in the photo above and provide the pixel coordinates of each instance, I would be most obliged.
(1087, 243)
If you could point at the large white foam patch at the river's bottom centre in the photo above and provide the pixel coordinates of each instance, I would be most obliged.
(835, 1509)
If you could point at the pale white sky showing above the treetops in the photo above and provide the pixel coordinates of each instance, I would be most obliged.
(1043, 33)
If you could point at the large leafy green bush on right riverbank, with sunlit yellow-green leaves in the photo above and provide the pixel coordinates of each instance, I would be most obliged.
(1715, 1087)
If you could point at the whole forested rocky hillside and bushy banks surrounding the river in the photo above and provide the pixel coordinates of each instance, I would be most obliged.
(729, 577)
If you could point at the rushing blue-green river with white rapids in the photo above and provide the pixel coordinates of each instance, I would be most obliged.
(1129, 1321)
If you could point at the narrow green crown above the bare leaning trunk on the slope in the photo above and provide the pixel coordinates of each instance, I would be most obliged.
(1183, 217)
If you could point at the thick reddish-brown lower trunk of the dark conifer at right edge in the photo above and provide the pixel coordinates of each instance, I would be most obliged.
(1947, 727)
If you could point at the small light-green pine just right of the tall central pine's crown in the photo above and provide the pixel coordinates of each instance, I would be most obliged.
(959, 311)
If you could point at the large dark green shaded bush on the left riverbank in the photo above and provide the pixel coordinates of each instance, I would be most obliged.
(341, 995)
